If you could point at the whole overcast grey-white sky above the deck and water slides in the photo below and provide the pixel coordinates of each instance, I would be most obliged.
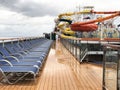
(34, 17)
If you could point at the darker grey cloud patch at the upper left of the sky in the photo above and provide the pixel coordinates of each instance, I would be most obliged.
(31, 8)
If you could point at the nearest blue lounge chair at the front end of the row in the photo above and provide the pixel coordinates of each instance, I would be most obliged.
(12, 74)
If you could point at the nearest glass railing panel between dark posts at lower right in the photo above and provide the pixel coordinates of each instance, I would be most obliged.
(111, 70)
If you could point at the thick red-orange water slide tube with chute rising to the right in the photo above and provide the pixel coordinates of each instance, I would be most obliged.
(90, 25)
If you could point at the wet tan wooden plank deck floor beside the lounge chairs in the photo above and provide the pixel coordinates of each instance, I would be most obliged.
(62, 72)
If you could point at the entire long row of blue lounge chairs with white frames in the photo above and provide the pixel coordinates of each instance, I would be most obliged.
(22, 59)
